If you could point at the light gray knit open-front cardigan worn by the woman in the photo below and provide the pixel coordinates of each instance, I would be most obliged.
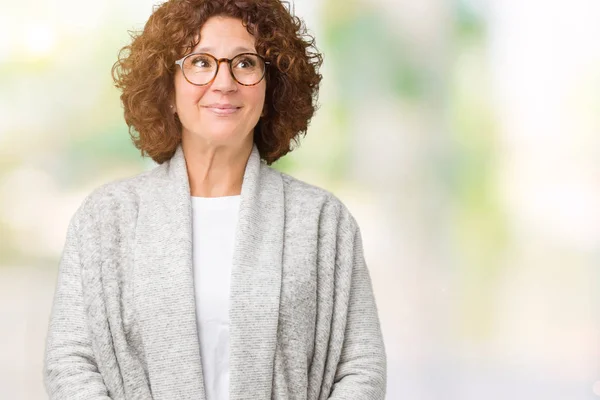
(303, 318)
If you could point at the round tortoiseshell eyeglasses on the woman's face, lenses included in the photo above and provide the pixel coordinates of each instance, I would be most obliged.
(200, 69)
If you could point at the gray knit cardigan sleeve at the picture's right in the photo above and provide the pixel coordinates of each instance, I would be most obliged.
(362, 367)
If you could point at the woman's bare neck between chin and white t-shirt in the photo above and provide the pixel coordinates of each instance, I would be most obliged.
(216, 170)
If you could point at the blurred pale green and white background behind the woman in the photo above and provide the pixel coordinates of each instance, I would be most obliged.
(463, 135)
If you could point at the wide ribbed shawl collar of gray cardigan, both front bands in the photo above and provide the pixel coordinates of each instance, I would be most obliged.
(164, 287)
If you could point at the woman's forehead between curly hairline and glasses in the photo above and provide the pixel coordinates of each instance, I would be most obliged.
(224, 35)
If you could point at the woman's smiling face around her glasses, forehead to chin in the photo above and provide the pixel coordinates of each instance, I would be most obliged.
(222, 37)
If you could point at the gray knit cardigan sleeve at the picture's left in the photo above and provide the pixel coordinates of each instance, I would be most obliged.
(70, 370)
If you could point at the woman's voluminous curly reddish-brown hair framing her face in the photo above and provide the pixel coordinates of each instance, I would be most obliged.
(145, 72)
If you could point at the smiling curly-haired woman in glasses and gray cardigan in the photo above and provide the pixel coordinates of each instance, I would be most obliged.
(214, 276)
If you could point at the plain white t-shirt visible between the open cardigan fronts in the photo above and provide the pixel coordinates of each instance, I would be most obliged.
(213, 233)
